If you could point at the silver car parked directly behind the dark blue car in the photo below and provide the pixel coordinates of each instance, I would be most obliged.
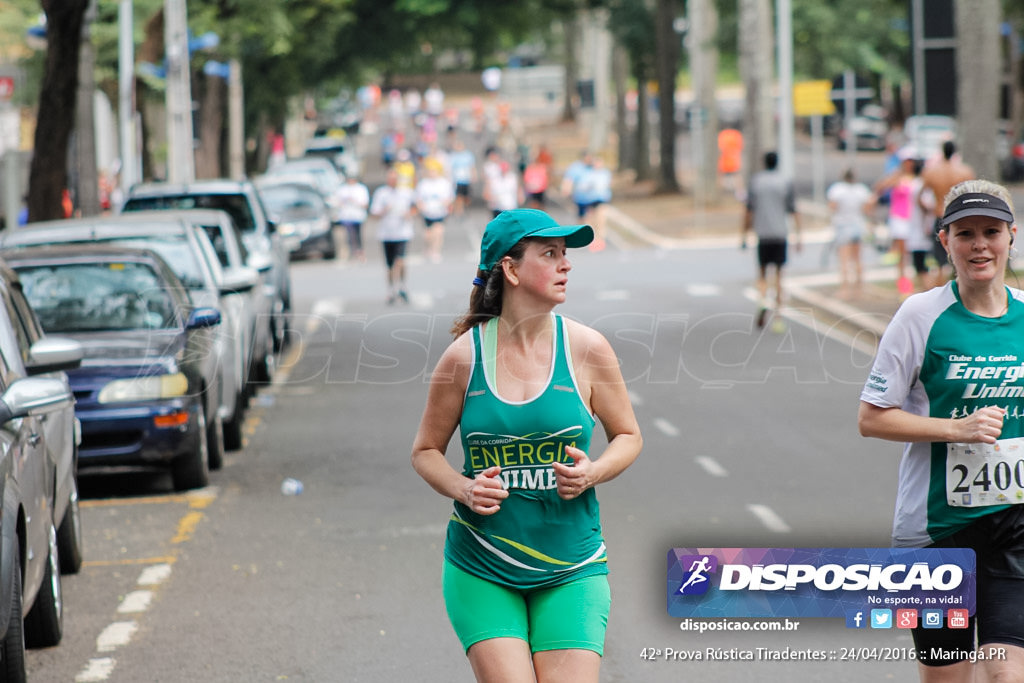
(188, 251)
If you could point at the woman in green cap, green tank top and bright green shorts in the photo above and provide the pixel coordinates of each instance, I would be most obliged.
(525, 561)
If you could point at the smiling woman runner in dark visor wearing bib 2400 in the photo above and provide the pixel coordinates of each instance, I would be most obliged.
(928, 389)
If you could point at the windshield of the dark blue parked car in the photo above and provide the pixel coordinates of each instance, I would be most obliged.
(98, 297)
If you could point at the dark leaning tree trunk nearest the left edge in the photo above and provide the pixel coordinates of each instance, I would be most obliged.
(56, 119)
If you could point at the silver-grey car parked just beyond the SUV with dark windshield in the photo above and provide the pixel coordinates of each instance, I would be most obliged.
(302, 216)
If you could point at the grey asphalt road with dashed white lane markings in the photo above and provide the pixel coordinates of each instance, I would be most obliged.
(750, 442)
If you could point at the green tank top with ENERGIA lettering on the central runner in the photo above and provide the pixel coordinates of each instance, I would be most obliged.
(536, 539)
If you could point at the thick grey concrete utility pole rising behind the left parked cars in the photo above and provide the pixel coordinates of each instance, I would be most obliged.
(181, 152)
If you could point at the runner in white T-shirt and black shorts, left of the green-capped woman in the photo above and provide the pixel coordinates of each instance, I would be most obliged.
(395, 206)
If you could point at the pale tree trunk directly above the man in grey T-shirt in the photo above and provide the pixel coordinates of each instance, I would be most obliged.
(756, 68)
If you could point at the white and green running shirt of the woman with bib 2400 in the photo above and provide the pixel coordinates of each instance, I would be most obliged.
(940, 360)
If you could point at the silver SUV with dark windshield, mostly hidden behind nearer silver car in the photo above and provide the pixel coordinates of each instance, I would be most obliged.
(241, 200)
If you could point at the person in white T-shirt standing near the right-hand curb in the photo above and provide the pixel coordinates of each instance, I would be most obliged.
(851, 204)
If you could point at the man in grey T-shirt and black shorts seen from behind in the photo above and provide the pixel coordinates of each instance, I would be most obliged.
(771, 203)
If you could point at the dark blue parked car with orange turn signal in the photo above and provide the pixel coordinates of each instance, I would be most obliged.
(144, 390)
